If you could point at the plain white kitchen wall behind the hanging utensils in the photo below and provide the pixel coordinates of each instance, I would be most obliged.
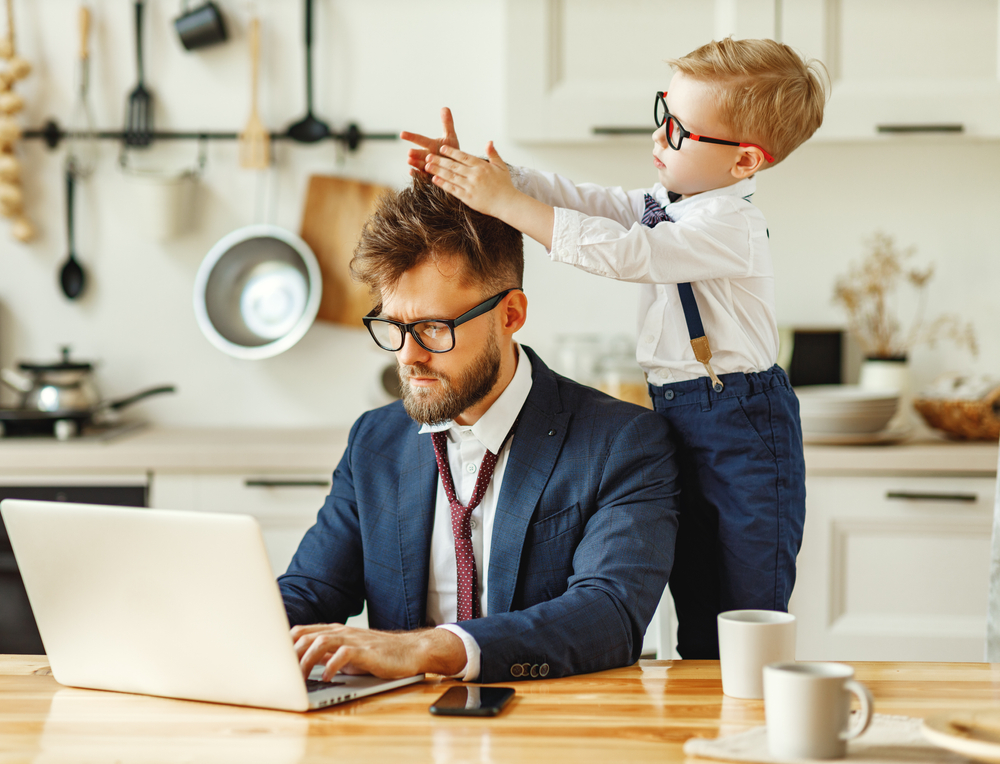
(388, 65)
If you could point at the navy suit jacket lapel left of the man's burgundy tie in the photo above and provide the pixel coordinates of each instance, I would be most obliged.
(415, 513)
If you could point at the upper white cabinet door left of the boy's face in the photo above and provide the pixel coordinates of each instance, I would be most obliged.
(580, 70)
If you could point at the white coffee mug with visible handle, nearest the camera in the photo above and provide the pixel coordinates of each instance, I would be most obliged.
(807, 707)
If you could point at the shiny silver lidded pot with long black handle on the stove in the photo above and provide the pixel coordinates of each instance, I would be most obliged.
(63, 391)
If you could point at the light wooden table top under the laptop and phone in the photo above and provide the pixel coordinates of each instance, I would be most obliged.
(642, 713)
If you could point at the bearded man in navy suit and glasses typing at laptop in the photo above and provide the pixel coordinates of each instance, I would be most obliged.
(562, 560)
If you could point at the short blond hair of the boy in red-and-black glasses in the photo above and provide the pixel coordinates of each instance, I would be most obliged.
(765, 92)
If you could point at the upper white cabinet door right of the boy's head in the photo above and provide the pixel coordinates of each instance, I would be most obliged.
(902, 66)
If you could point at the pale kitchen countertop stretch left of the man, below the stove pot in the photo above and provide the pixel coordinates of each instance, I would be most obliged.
(159, 449)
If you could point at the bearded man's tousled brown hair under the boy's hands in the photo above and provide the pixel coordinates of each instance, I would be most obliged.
(424, 222)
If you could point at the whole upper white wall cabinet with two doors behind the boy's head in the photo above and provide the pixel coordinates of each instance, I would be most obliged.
(584, 70)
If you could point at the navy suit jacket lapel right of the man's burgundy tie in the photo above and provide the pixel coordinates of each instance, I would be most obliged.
(533, 452)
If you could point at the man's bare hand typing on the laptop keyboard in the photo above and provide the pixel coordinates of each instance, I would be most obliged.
(385, 654)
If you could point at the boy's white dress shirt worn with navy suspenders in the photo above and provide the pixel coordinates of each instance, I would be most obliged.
(717, 241)
